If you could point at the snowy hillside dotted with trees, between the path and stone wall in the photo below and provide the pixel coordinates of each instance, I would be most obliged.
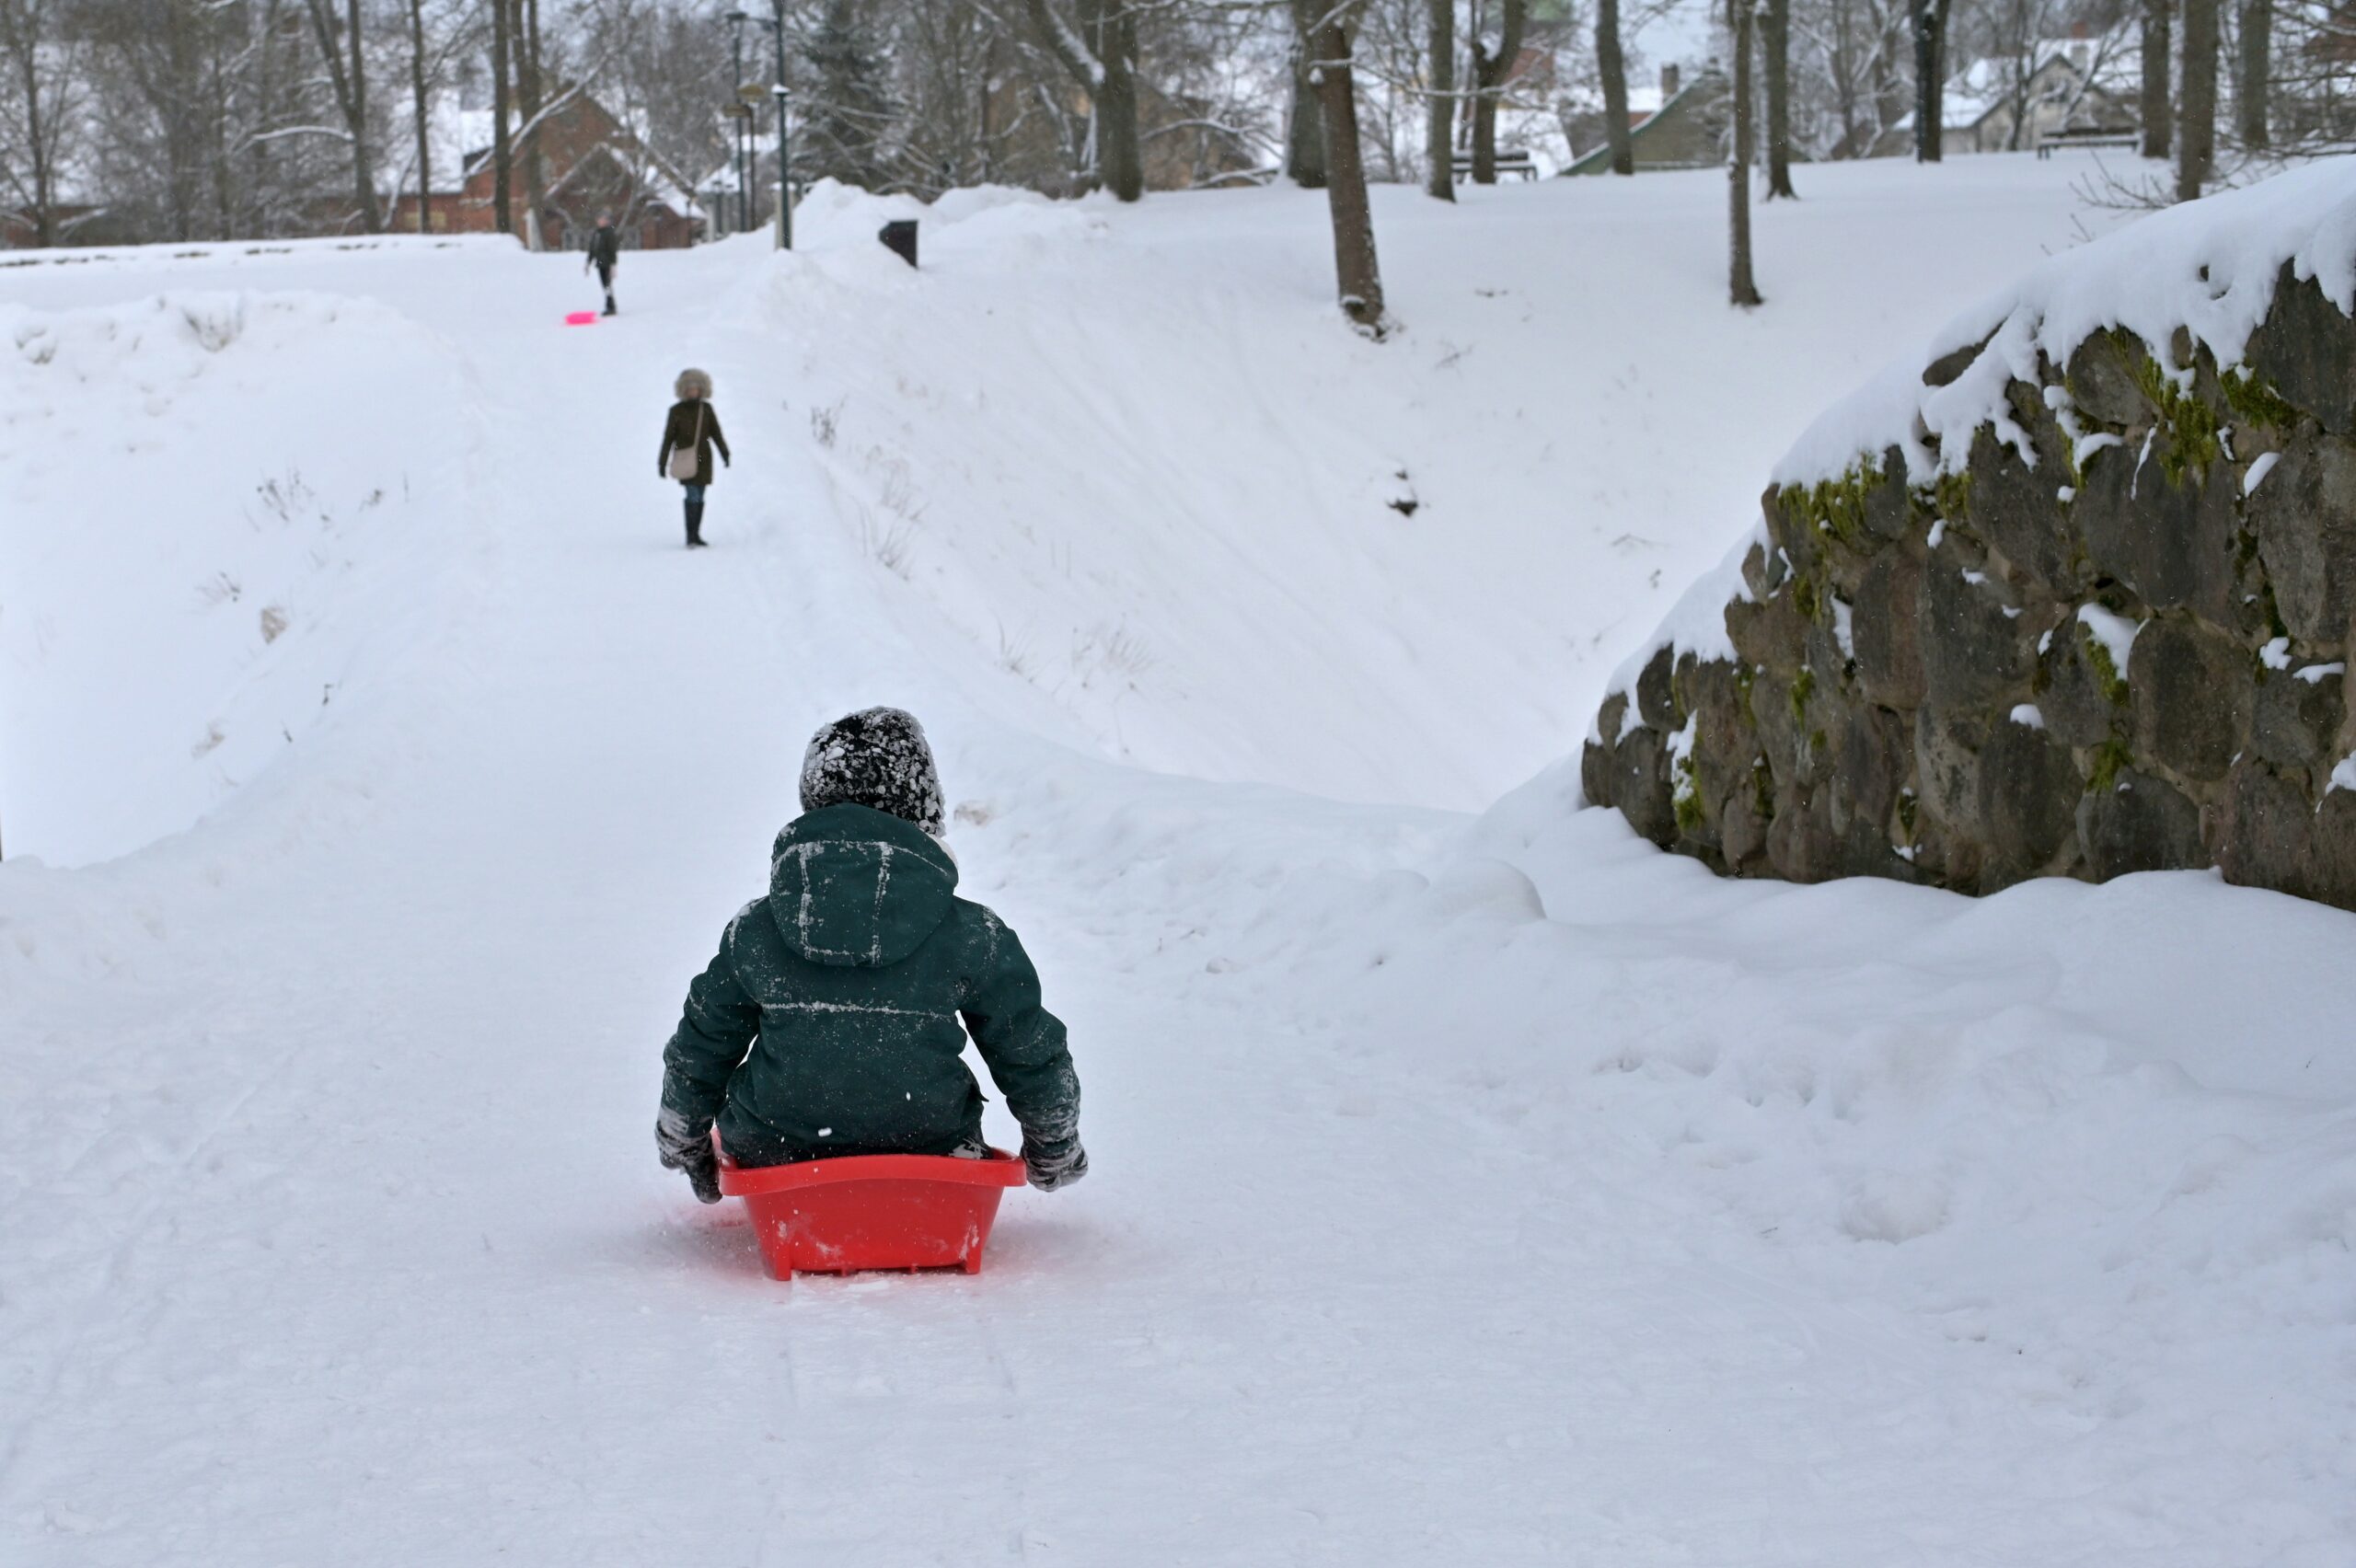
(1134, 465)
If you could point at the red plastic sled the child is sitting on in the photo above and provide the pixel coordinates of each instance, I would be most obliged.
(873, 1211)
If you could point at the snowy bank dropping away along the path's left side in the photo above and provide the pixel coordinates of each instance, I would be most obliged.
(216, 519)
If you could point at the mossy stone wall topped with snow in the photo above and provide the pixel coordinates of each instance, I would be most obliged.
(2074, 599)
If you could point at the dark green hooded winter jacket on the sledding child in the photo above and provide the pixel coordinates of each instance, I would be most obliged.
(830, 1018)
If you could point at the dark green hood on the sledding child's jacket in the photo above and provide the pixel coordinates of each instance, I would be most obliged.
(852, 886)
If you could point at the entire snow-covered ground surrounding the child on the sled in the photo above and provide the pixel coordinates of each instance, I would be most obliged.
(1467, 1188)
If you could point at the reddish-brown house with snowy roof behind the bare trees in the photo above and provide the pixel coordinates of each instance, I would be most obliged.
(593, 166)
